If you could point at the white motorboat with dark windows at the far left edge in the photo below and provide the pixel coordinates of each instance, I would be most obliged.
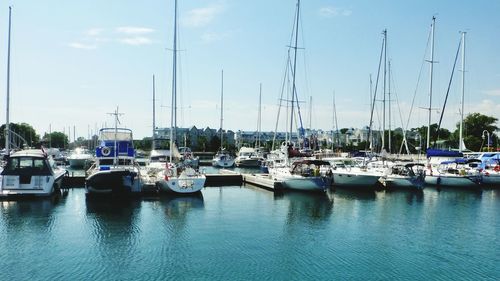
(31, 172)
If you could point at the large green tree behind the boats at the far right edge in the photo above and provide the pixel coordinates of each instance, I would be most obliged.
(473, 127)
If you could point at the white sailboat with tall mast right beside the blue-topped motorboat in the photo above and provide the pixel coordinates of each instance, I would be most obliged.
(178, 176)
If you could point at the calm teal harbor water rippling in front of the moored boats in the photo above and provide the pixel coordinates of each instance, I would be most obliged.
(246, 233)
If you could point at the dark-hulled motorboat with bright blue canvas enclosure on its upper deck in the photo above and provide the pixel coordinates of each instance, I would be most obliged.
(115, 169)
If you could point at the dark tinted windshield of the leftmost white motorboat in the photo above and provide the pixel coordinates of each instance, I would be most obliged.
(26, 166)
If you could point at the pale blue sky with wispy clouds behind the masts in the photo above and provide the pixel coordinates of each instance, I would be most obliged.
(73, 62)
